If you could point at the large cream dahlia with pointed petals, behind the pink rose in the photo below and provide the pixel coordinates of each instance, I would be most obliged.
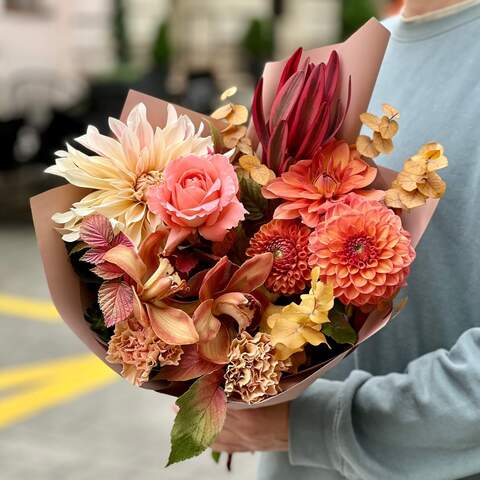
(123, 168)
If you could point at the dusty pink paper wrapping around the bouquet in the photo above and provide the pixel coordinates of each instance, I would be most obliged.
(361, 57)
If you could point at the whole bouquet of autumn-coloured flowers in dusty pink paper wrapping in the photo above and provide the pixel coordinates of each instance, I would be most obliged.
(226, 263)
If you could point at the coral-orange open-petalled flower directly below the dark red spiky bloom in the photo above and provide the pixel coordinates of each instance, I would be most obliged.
(310, 186)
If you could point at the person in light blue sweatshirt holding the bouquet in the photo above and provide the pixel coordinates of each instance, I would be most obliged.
(406, 405)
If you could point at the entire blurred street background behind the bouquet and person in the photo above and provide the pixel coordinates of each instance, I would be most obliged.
(65, 64)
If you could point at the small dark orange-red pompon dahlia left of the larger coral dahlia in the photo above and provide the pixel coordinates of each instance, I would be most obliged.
(288, 241)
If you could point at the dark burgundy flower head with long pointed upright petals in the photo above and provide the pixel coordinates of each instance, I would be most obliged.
(305, 113)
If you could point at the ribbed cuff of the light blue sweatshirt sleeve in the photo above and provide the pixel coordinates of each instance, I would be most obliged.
(312, 426)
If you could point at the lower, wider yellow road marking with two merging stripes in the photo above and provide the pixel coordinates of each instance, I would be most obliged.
(43, 385)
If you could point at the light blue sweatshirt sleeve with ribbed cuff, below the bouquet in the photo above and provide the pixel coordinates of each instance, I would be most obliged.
(422, 424)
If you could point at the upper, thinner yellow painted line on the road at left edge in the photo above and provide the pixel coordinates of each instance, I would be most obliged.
(32, 309)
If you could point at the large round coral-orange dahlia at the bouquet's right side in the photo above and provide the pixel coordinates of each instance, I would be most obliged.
(362, 249)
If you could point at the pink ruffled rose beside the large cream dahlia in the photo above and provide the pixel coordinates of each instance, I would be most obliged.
(198, 193)
